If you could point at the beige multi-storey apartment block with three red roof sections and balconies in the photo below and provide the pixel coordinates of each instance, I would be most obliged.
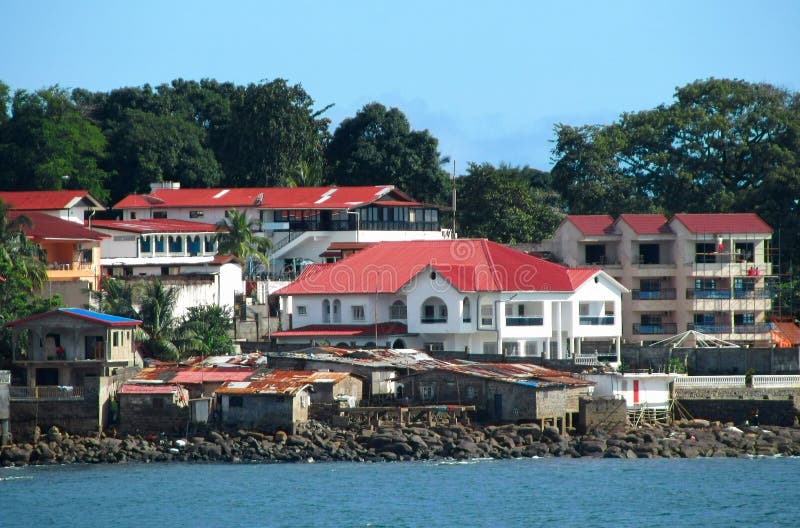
(706, 272)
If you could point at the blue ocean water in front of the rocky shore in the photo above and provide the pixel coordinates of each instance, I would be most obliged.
(496, 493)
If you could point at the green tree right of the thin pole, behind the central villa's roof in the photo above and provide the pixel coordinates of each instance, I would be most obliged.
(504, 205)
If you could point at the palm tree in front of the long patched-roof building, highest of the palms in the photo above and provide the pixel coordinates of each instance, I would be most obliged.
(235, 236)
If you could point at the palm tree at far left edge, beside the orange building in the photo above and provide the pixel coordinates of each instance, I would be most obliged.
(17, 251)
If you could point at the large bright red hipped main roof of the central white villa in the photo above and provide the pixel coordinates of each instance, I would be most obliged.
(468, 264)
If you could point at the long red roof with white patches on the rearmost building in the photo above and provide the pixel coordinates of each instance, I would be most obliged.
(265, 197)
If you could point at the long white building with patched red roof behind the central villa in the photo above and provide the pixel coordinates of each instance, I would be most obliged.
(301, 221)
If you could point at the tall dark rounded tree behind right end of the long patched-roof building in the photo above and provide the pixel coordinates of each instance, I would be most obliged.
(377, 146)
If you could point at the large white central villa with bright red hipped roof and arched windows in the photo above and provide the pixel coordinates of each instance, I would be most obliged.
(460, 295)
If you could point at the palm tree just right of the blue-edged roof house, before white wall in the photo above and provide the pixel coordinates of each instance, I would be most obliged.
(157, 306)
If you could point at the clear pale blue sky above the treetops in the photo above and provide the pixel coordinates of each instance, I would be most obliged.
(489, 80)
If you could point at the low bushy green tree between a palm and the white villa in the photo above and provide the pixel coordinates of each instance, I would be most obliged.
(205, 330)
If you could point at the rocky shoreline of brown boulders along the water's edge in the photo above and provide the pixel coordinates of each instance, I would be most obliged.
(321, 443)
